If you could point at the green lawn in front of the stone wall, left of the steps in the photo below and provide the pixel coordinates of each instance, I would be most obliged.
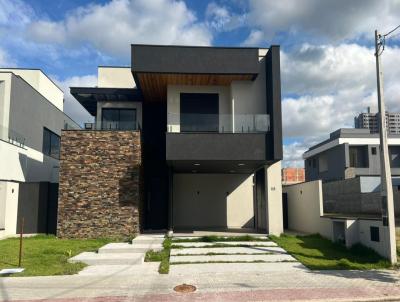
(46, 255)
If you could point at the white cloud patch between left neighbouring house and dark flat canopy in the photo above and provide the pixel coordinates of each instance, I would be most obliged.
(71, 106)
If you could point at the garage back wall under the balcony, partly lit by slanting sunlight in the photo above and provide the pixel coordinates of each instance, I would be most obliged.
(213, 201)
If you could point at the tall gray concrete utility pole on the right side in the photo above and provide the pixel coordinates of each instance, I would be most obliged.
(388, 219)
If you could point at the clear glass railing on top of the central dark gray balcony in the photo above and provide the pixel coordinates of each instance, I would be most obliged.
(220, 123)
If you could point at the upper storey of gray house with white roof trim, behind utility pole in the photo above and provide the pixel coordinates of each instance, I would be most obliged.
(349, 153)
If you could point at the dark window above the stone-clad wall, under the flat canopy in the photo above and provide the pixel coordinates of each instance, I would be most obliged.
(118, 119)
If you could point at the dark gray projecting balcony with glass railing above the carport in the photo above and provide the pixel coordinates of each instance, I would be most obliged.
(217, 143)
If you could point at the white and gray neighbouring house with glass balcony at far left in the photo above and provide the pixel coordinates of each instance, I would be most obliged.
(31, 119)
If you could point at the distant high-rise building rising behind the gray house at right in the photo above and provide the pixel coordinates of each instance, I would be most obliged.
(369, 121)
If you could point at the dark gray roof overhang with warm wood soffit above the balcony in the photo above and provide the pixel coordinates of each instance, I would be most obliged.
(154, 67)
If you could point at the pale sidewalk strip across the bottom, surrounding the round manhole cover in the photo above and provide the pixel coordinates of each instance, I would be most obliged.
(294, 285)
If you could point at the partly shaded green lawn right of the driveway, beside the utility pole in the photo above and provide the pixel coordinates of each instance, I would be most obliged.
(319, 253)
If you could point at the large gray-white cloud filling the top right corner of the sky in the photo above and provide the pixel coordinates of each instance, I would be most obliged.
(335, 20)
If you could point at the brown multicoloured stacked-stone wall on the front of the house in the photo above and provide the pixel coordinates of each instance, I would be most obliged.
(100, 184)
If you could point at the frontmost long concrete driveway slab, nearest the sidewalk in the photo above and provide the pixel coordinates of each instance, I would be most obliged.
(232, 258)
